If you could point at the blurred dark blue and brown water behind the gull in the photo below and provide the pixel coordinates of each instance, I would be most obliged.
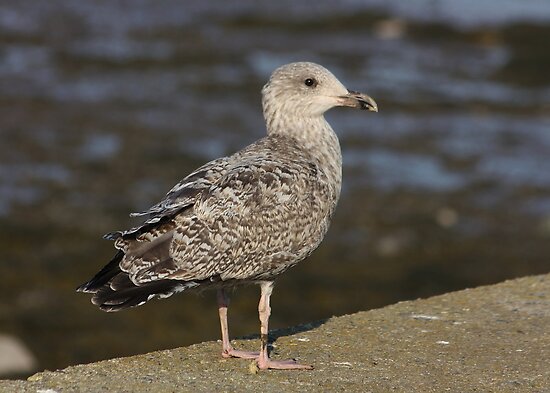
(106, 104)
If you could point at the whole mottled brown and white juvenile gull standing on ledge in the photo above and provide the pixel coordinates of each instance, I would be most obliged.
(241, 219)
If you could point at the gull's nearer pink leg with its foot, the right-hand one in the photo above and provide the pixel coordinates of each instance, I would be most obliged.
(264, 310)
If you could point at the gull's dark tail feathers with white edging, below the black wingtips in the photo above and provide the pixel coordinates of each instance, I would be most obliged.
(122, 293)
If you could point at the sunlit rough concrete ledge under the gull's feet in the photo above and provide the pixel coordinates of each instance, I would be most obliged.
(488, 339)
